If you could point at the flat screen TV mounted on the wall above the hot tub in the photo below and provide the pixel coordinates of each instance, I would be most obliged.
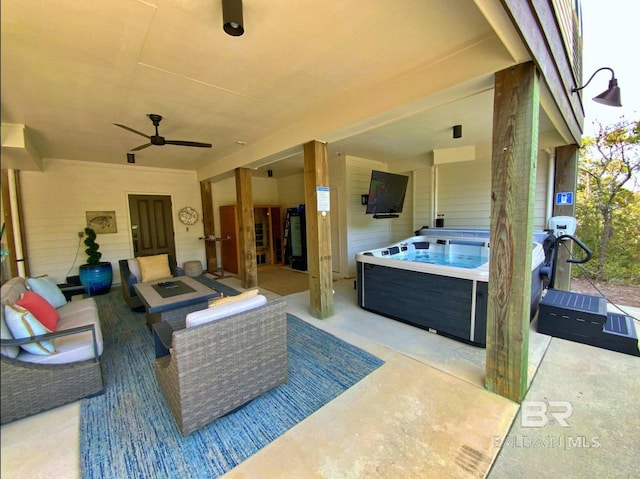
(386, 194)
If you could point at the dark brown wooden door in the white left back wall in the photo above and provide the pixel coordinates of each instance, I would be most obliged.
(151, 225)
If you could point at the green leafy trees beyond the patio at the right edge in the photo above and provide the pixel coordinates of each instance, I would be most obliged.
(607, 207)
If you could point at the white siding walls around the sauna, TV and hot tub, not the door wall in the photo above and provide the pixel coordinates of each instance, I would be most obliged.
(463, 195)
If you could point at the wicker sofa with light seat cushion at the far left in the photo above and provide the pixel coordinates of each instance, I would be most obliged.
(34, 383)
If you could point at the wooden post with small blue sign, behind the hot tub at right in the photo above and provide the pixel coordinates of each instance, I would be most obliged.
(566, 179)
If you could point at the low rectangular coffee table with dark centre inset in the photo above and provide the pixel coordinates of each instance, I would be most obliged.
(171, 299)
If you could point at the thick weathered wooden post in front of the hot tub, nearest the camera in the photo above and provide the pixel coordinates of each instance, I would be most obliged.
(513, 168)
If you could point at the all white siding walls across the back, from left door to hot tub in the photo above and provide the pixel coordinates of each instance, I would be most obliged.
(55, 202)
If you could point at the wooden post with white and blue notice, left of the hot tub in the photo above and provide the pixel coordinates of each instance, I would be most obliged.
(316, 174)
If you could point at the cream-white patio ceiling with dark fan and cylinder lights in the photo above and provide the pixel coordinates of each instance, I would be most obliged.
(384, 80)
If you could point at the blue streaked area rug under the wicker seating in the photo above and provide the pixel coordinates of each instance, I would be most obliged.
(130, 432)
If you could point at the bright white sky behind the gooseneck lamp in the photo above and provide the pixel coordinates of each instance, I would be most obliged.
(610, 39)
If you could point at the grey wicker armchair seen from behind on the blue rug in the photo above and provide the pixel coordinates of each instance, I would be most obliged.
(217, 367)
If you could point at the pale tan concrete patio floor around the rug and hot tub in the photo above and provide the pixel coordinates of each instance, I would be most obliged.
(424, 413)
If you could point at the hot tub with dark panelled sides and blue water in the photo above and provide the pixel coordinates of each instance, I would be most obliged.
(436, 282)
